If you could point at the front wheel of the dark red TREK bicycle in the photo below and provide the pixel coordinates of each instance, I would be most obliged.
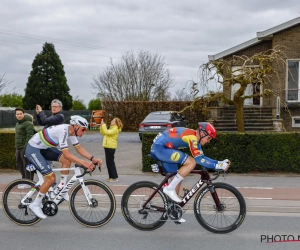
(230, 218)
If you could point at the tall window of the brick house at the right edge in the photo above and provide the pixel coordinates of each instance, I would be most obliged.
(293, 81)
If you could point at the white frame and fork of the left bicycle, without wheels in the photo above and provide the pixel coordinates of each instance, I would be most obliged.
(59, 197)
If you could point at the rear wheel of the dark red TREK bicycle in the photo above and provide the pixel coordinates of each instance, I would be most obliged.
(131, 202)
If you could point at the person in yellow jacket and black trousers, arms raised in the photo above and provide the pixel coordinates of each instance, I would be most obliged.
(110, 143)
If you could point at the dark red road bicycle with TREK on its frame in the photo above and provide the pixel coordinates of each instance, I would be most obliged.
(218, 207)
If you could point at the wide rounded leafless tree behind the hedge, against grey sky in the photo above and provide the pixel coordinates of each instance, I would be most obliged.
(141, 77)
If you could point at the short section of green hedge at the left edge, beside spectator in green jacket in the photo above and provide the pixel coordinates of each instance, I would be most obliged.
(7, 149)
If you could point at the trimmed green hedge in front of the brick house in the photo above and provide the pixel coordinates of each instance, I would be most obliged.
(249, 152)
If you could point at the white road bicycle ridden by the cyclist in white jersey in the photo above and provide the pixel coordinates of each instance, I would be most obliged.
(92, 203)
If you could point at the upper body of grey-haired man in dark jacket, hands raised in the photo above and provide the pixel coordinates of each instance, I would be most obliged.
(56, 118)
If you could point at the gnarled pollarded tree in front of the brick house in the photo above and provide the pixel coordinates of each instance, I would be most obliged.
(257, 69)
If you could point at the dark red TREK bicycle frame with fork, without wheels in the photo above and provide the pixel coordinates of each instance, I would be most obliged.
(205, 178)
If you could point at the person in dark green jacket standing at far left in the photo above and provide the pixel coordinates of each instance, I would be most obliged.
(24, 131)
